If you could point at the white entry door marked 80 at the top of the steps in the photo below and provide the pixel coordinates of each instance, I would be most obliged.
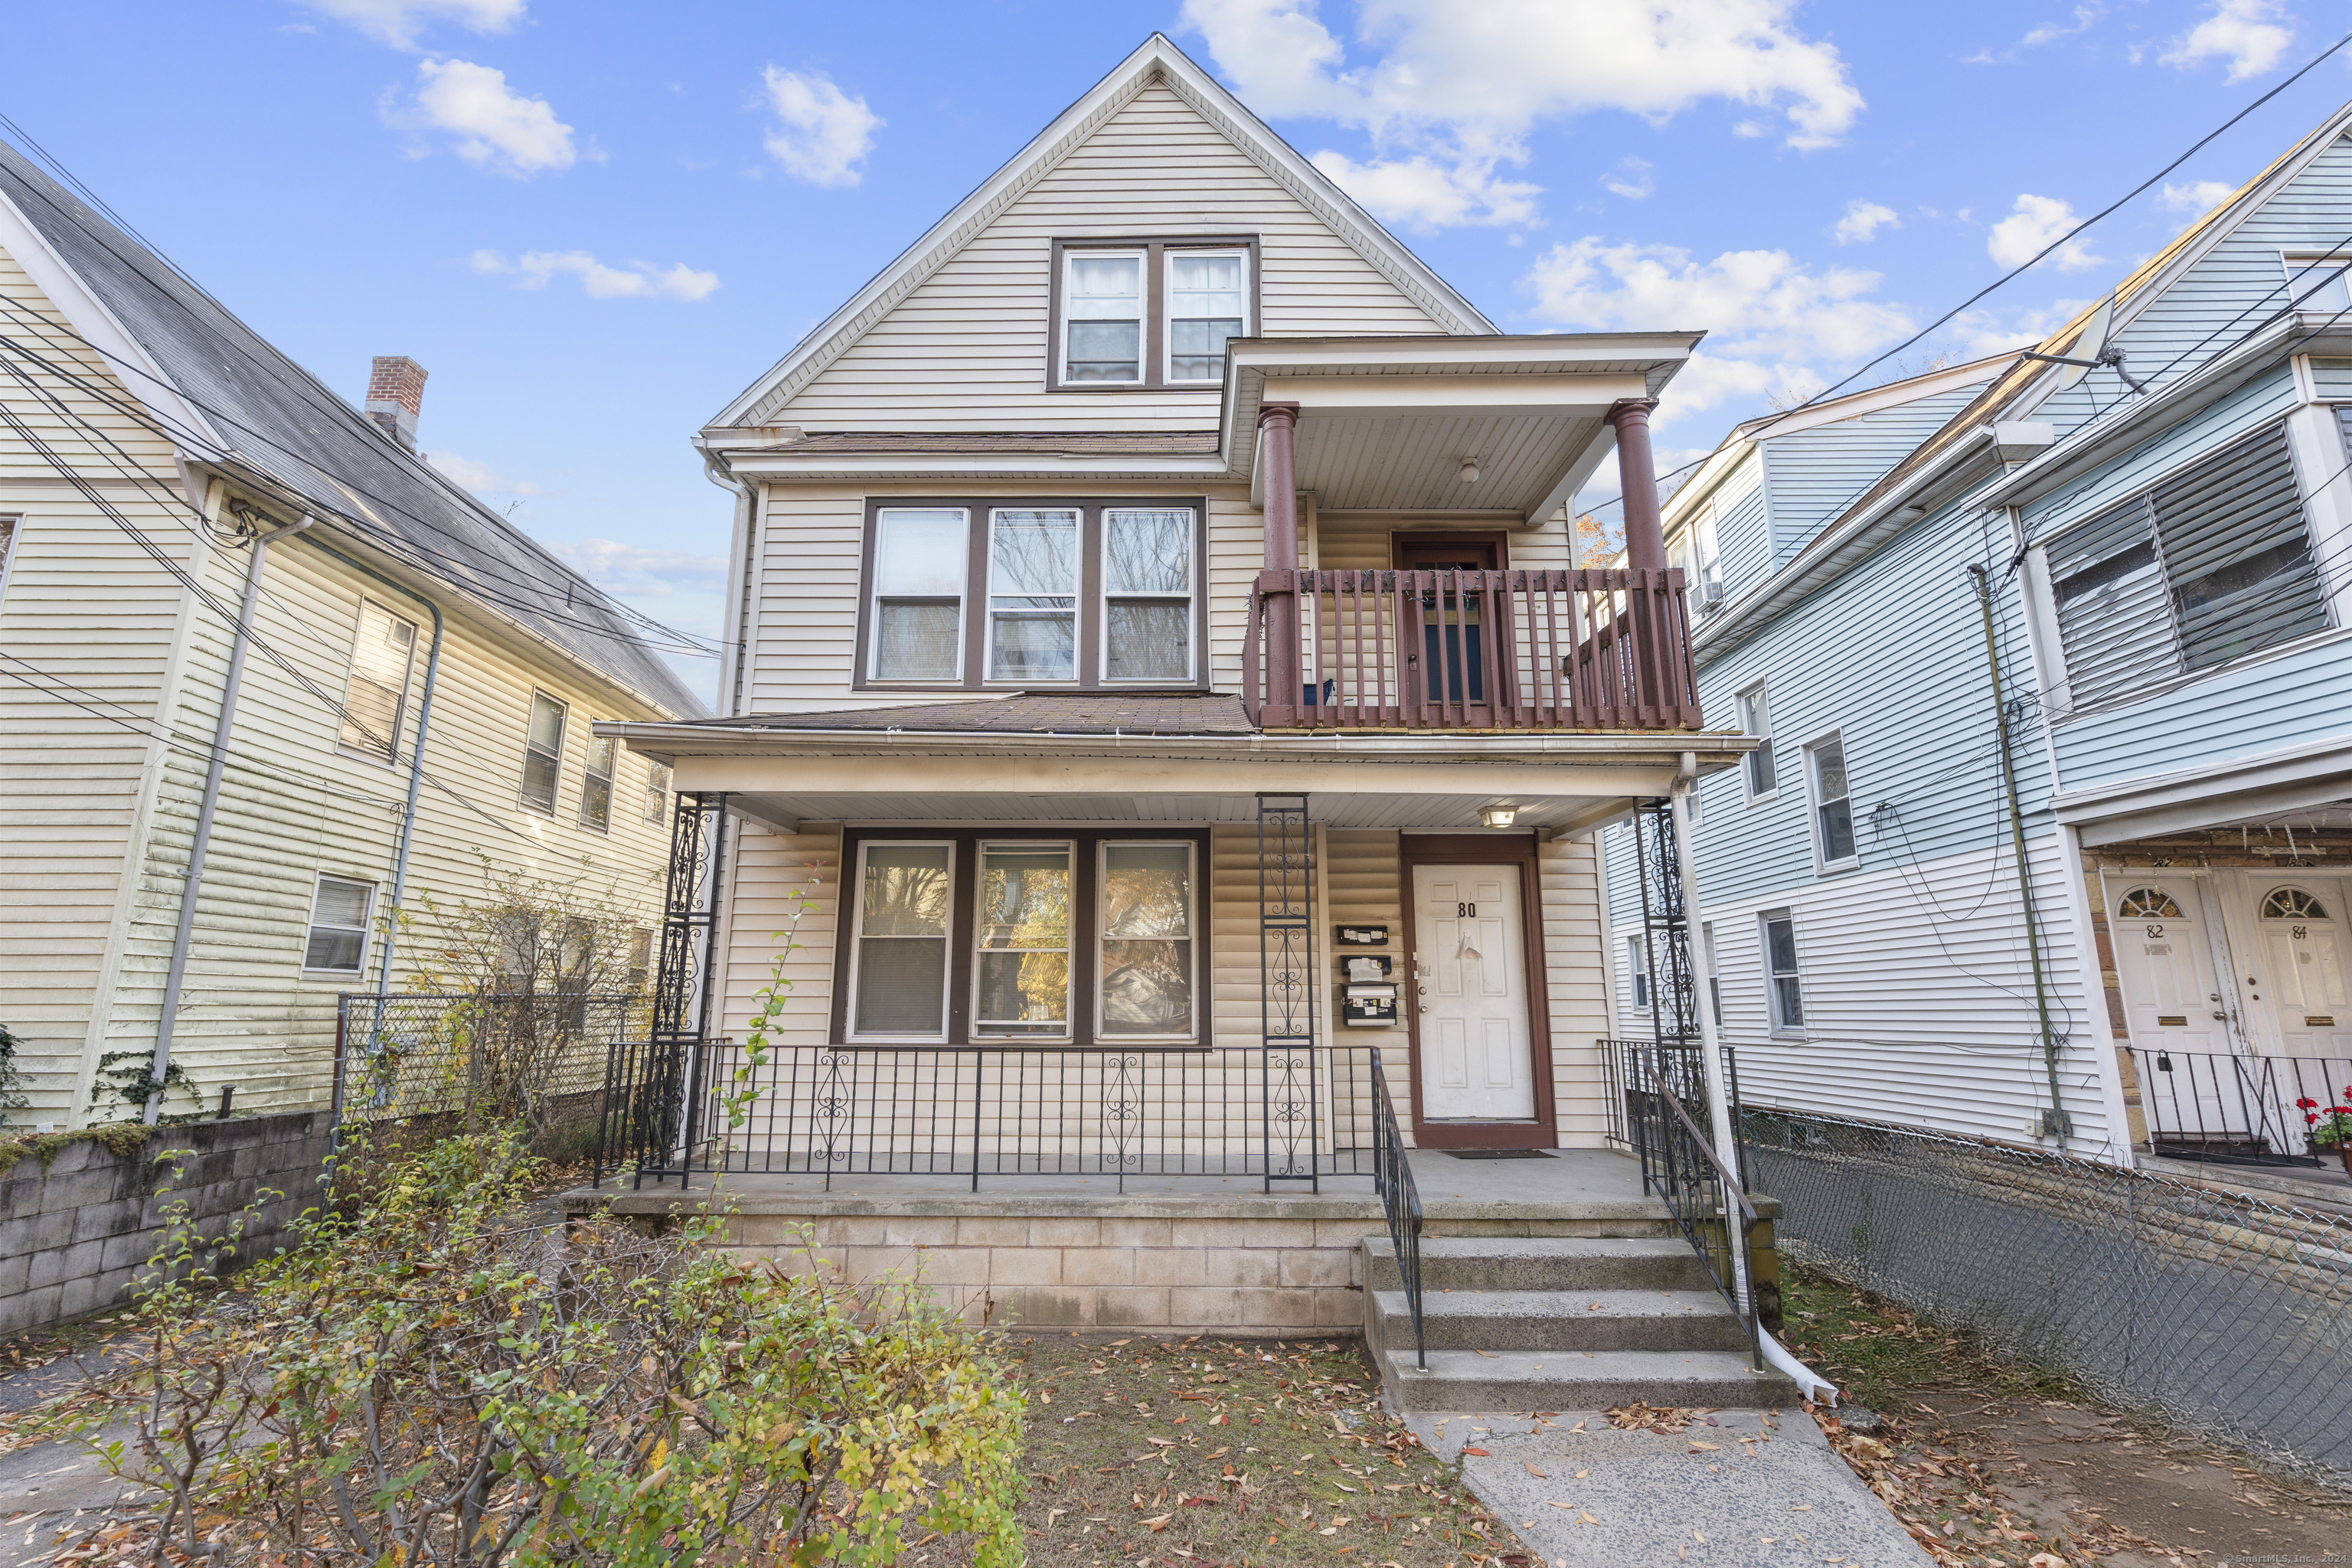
(1471, 989)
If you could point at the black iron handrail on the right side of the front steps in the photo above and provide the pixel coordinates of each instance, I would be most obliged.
(1659, 1111)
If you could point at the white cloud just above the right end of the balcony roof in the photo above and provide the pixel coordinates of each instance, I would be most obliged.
(1770, 319)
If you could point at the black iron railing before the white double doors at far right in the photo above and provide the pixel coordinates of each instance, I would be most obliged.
(2245, 1111)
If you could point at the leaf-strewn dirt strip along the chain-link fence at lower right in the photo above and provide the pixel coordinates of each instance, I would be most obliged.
(1996, 1463)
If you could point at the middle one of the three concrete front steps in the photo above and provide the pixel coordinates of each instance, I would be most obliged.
(1558, 1320)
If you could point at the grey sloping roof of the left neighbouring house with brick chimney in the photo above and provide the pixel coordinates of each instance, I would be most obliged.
(227, 396)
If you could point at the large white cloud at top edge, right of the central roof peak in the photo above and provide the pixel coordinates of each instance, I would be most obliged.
(1457, 86)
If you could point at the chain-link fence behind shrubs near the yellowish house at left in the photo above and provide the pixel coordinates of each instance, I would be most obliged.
(422, 1068)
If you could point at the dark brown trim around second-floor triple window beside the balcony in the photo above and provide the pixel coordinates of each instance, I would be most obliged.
(1090, 591)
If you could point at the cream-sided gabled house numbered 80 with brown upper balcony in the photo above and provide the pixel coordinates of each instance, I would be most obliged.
(1161, 674)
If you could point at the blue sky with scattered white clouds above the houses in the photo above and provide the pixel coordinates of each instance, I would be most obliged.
(594, 225)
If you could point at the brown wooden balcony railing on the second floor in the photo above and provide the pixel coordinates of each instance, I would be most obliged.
(1474, 650)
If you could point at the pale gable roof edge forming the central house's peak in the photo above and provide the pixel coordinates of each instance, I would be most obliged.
(1158, 60)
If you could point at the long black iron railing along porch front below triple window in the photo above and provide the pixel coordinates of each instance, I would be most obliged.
(681, 1108)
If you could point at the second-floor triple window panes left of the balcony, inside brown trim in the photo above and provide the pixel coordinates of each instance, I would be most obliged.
(1076, 594)
